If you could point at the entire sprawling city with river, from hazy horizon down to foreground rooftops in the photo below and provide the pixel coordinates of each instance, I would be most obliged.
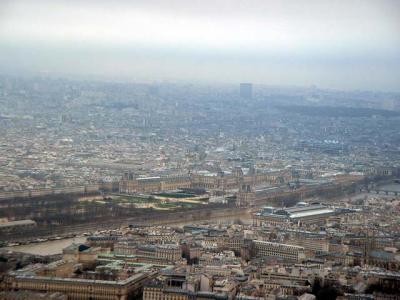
(192, 191)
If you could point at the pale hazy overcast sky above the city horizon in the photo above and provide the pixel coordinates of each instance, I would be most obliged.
(339, 44)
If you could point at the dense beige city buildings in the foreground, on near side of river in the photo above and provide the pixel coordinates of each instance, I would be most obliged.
(221, 261)
